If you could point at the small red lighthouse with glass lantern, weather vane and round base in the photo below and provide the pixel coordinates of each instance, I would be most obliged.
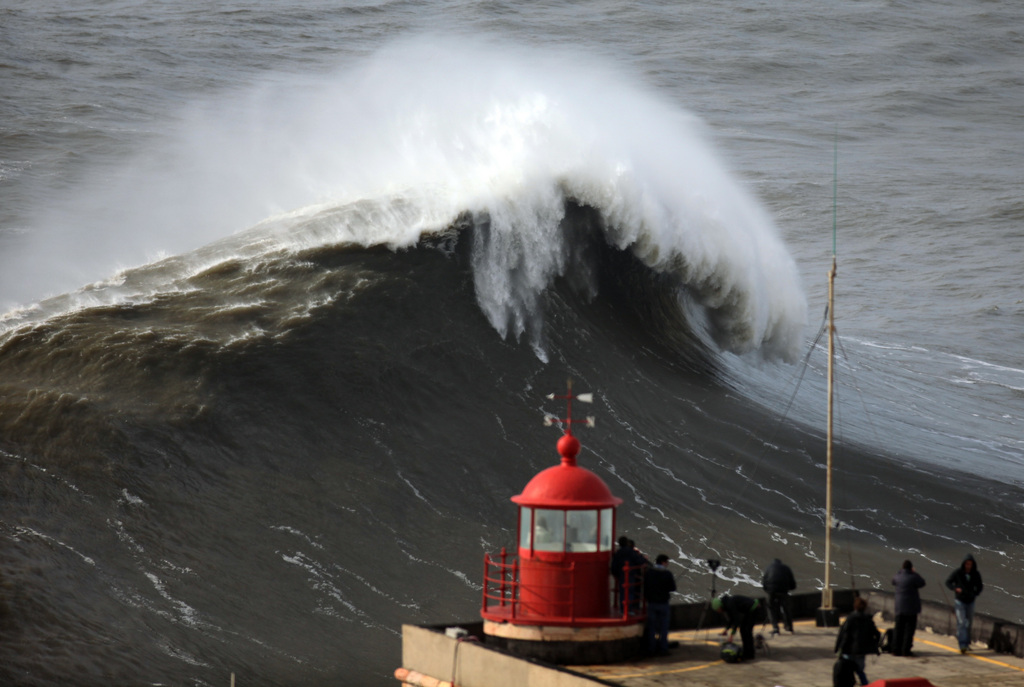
(556, 600)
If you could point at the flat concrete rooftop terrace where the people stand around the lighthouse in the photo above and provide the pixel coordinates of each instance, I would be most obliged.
(432, 659)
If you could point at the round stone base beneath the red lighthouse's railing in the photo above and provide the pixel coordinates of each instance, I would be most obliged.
(558, 645)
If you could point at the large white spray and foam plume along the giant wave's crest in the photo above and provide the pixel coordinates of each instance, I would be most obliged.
(401, 144)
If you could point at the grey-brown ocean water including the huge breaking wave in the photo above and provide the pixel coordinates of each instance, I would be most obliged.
(284, 287)
